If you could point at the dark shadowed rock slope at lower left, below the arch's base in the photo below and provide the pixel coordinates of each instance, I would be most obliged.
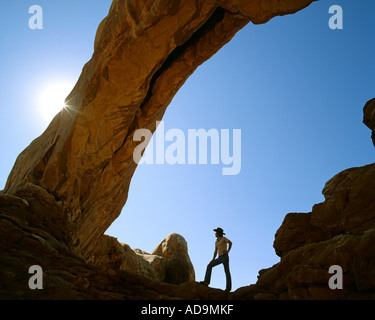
(67, 276)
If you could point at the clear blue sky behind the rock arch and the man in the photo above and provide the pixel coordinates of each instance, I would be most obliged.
(294, 87)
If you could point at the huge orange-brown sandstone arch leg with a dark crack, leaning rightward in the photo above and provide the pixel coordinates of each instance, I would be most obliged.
(144, 51)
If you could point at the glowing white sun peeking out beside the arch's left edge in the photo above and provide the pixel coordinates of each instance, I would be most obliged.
(51, 99)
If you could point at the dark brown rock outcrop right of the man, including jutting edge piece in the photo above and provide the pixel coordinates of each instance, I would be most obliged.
(339, 231)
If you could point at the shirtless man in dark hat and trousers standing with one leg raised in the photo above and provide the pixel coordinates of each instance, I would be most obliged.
(221, 248)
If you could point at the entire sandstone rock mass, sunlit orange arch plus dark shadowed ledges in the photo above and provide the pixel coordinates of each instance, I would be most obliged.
(71, 183)
